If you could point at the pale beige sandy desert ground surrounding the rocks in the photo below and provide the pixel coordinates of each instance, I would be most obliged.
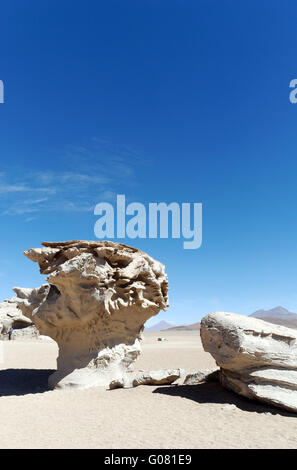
(151, 417)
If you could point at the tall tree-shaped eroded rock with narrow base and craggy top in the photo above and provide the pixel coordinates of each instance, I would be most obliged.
(98, 298)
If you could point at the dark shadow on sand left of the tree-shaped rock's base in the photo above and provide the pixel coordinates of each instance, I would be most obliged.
(24, 381)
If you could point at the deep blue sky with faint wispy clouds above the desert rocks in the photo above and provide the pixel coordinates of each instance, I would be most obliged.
(184, 101)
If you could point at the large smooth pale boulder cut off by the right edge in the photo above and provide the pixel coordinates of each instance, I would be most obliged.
(257, 359)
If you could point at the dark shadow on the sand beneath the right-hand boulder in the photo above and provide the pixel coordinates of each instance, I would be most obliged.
(215, 393)
